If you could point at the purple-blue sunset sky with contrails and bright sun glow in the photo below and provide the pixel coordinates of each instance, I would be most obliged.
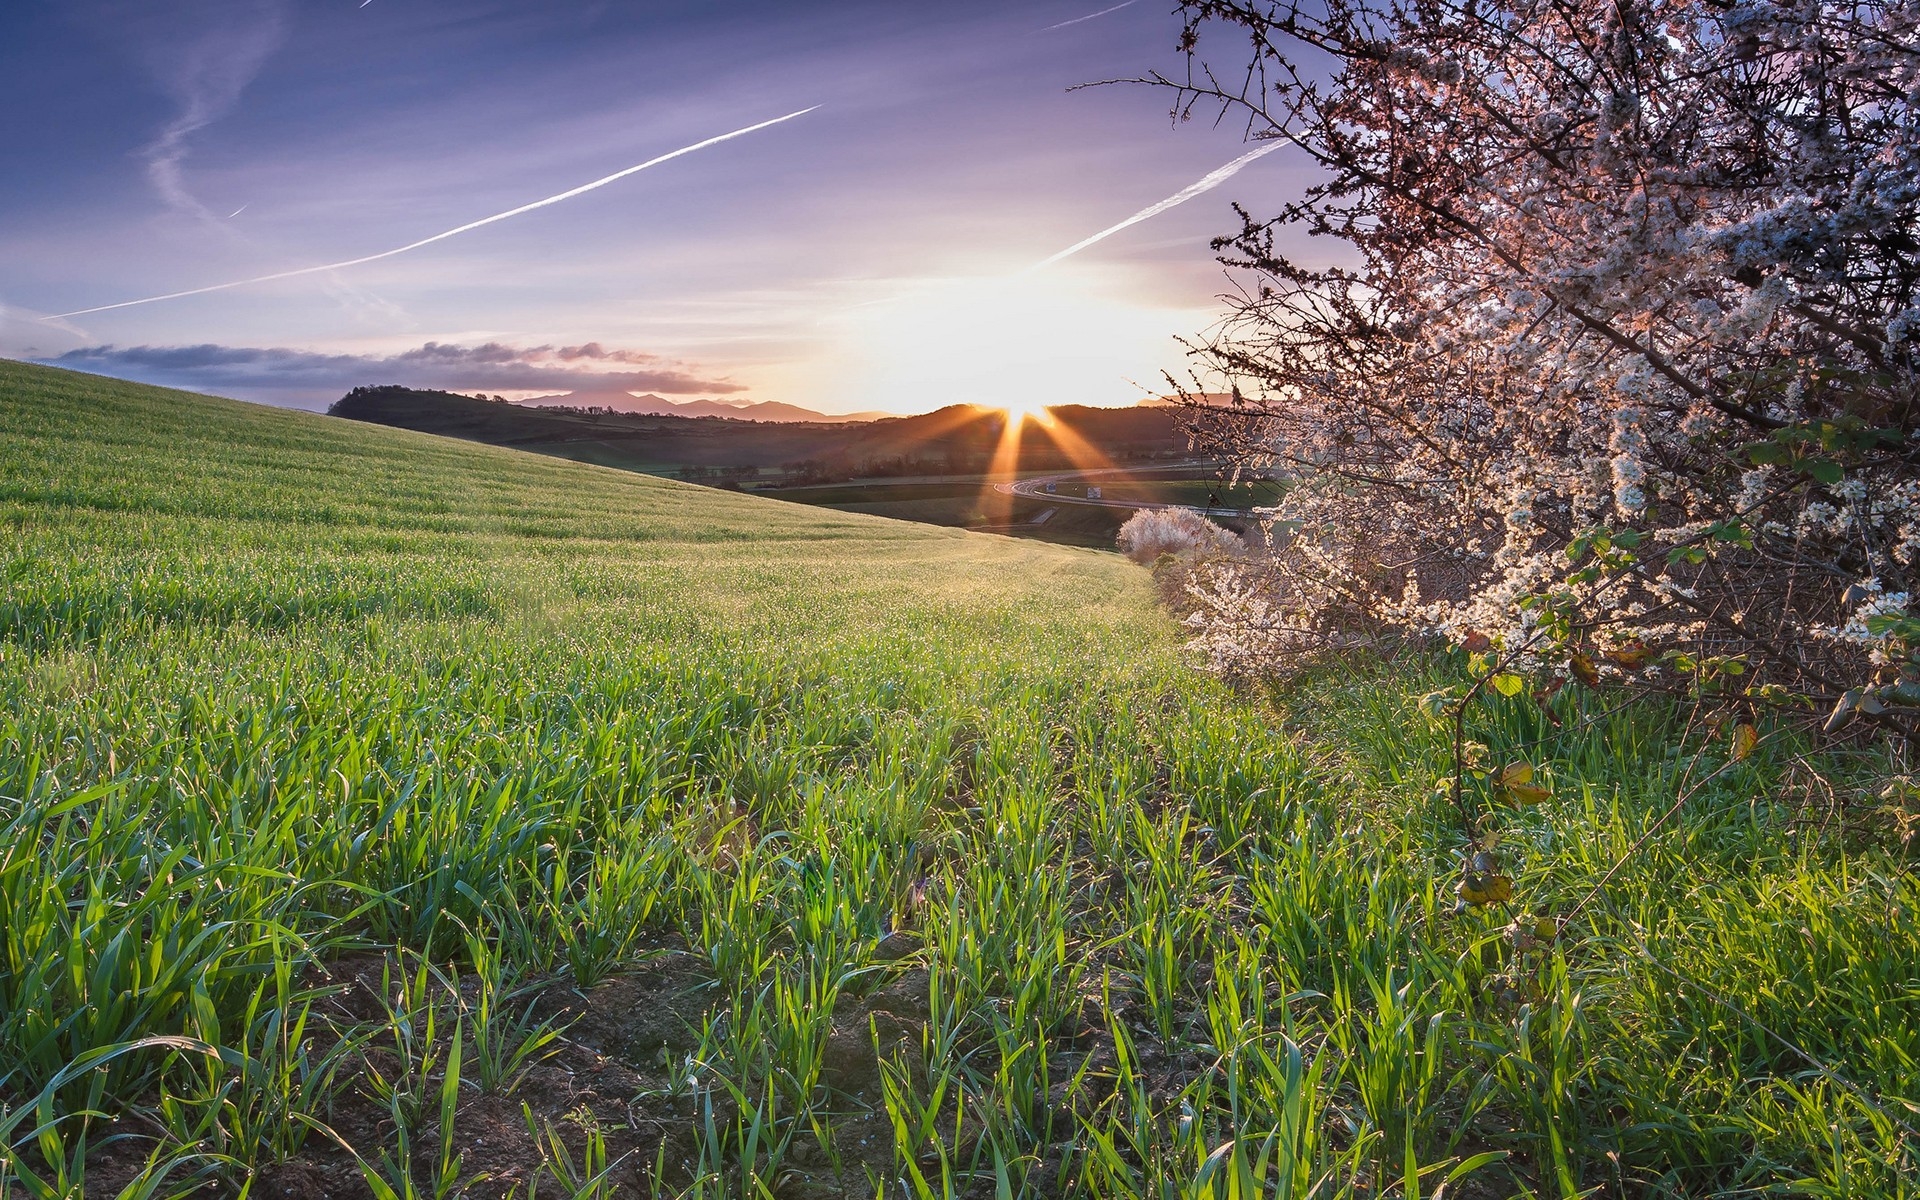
(894, 237)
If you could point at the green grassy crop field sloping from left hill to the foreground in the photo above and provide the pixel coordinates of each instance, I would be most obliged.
(398, 817)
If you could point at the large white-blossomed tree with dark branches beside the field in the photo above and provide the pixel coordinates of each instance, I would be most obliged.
(1618, 370)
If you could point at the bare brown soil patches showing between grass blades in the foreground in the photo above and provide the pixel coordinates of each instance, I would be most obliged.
(619, 1070)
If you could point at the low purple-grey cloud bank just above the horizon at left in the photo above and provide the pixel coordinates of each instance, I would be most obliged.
(306, 377)
